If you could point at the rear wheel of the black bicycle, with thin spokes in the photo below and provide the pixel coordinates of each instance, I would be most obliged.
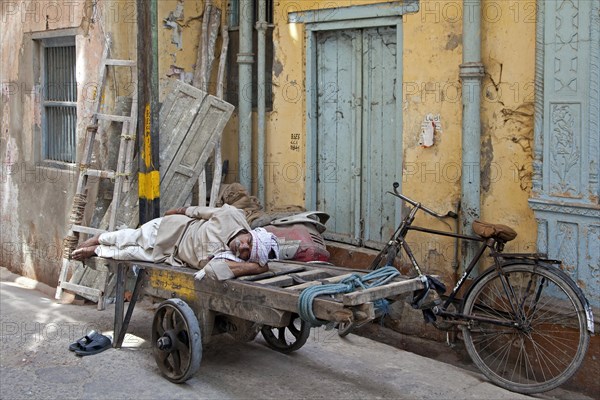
(544, 337)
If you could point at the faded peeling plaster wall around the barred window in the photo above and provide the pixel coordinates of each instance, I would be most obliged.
(36, 199)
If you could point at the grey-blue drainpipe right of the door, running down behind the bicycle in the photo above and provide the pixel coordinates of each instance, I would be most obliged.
(471, 74)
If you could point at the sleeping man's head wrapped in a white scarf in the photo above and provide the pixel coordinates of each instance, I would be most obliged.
(257, 246)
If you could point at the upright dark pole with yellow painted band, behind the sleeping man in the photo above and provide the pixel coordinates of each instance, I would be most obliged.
(147, 55)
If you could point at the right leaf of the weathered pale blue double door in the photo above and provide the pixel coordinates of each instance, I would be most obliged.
(381, 143)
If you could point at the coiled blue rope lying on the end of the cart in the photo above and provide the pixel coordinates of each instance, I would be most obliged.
(375, 278)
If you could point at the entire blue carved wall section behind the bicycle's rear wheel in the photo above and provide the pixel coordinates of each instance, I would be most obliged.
(567, 135)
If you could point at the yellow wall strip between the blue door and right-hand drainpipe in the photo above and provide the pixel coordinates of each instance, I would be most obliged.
(432, 55)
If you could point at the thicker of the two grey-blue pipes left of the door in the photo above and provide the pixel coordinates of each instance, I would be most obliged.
(245, 58)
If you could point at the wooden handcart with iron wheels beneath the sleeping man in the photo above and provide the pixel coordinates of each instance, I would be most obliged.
(193, 311)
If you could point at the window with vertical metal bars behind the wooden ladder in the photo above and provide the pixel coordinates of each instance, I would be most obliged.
(59, 99)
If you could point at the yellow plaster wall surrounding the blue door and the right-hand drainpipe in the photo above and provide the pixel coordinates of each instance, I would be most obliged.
(432, 53)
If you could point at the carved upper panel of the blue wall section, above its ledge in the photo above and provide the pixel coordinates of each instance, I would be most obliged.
(566, 153)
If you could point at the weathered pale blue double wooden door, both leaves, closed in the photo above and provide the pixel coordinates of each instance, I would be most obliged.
(358, 142)
